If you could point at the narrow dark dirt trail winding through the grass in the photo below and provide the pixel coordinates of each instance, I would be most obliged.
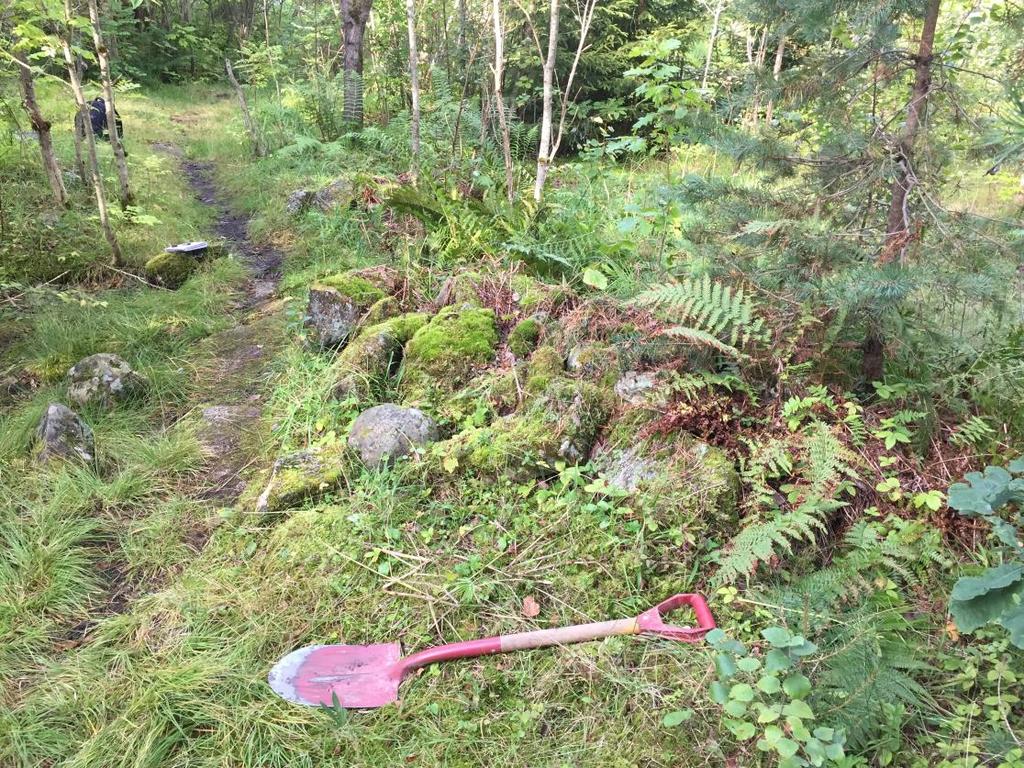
(237, 362)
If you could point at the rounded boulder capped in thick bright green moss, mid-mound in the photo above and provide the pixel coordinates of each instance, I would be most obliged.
(444, 354)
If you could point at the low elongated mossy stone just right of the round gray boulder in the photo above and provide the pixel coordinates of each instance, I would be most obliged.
(561, 424)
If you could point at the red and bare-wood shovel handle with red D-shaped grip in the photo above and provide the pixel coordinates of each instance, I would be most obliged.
(649, 623)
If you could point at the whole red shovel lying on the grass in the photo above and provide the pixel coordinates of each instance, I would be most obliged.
(362, 677)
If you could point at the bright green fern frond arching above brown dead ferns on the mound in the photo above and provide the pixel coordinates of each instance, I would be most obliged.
(709, 314)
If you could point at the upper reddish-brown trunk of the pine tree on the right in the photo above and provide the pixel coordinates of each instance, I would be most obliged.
(899, 222)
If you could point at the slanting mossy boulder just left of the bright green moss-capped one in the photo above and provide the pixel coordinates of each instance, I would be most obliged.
(373, 356)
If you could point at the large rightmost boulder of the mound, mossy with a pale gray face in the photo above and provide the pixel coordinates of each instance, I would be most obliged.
(677, 480)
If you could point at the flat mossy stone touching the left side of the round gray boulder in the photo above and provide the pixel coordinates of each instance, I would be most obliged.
(305, 475)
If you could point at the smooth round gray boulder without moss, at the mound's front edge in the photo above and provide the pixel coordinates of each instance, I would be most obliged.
(387, 433)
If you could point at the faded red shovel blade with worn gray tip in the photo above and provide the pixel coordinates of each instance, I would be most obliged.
(361, 676)
